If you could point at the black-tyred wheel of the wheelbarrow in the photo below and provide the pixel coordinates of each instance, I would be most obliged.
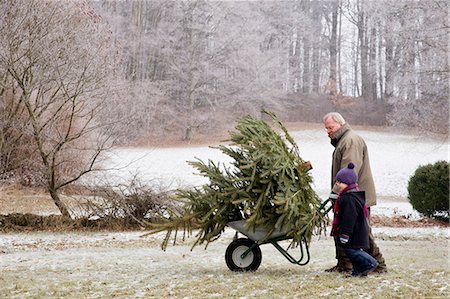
(234, 259)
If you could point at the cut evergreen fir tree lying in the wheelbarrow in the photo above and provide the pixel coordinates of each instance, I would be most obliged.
(267, 185)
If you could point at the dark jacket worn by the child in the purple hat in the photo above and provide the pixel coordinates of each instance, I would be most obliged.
(351, 220)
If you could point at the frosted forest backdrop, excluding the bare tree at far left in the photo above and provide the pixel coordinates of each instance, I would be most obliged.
(197, 65)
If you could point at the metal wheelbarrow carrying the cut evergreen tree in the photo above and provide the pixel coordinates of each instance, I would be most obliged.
(244, 254)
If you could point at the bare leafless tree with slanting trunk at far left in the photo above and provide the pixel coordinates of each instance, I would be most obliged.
(56, 56)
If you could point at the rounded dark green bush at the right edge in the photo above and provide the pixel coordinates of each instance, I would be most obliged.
(428, 190)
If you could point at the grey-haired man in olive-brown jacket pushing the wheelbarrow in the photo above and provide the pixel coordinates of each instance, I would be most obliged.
(350, 147)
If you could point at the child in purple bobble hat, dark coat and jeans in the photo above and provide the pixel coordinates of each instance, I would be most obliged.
(350, 228)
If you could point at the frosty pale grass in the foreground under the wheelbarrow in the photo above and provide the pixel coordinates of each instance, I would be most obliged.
(139, 269)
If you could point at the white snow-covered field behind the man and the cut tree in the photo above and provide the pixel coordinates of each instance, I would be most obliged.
(394, 158)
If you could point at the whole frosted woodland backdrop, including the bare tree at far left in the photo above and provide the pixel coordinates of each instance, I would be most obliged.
(79, 77)
